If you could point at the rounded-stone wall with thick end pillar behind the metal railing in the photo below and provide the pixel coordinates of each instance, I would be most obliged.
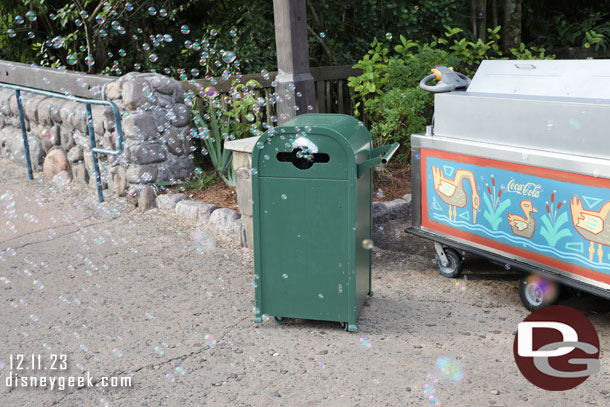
(155, 122)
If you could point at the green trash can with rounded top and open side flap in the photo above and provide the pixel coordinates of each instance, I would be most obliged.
(312, 186)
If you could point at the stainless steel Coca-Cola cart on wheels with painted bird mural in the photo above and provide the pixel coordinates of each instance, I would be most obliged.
(517, 169)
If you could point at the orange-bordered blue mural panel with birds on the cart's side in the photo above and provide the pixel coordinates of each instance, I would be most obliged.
(556, 218)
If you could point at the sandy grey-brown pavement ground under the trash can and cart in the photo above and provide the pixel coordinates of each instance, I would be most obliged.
(169, 304)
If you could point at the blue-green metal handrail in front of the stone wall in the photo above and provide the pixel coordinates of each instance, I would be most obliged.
(89, 117)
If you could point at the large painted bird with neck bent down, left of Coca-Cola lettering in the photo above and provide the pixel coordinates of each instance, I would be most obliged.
(452, 192)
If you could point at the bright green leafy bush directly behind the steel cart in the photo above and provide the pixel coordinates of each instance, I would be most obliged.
(388, 94)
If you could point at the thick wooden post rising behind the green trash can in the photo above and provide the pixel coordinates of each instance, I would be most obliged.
(293, 77)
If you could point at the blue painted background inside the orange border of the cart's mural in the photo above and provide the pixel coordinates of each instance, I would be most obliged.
(502, 192)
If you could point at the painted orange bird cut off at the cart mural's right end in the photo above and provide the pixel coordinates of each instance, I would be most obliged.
(592, 225)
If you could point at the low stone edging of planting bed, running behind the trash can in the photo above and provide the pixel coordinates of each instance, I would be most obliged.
(228, 222)
